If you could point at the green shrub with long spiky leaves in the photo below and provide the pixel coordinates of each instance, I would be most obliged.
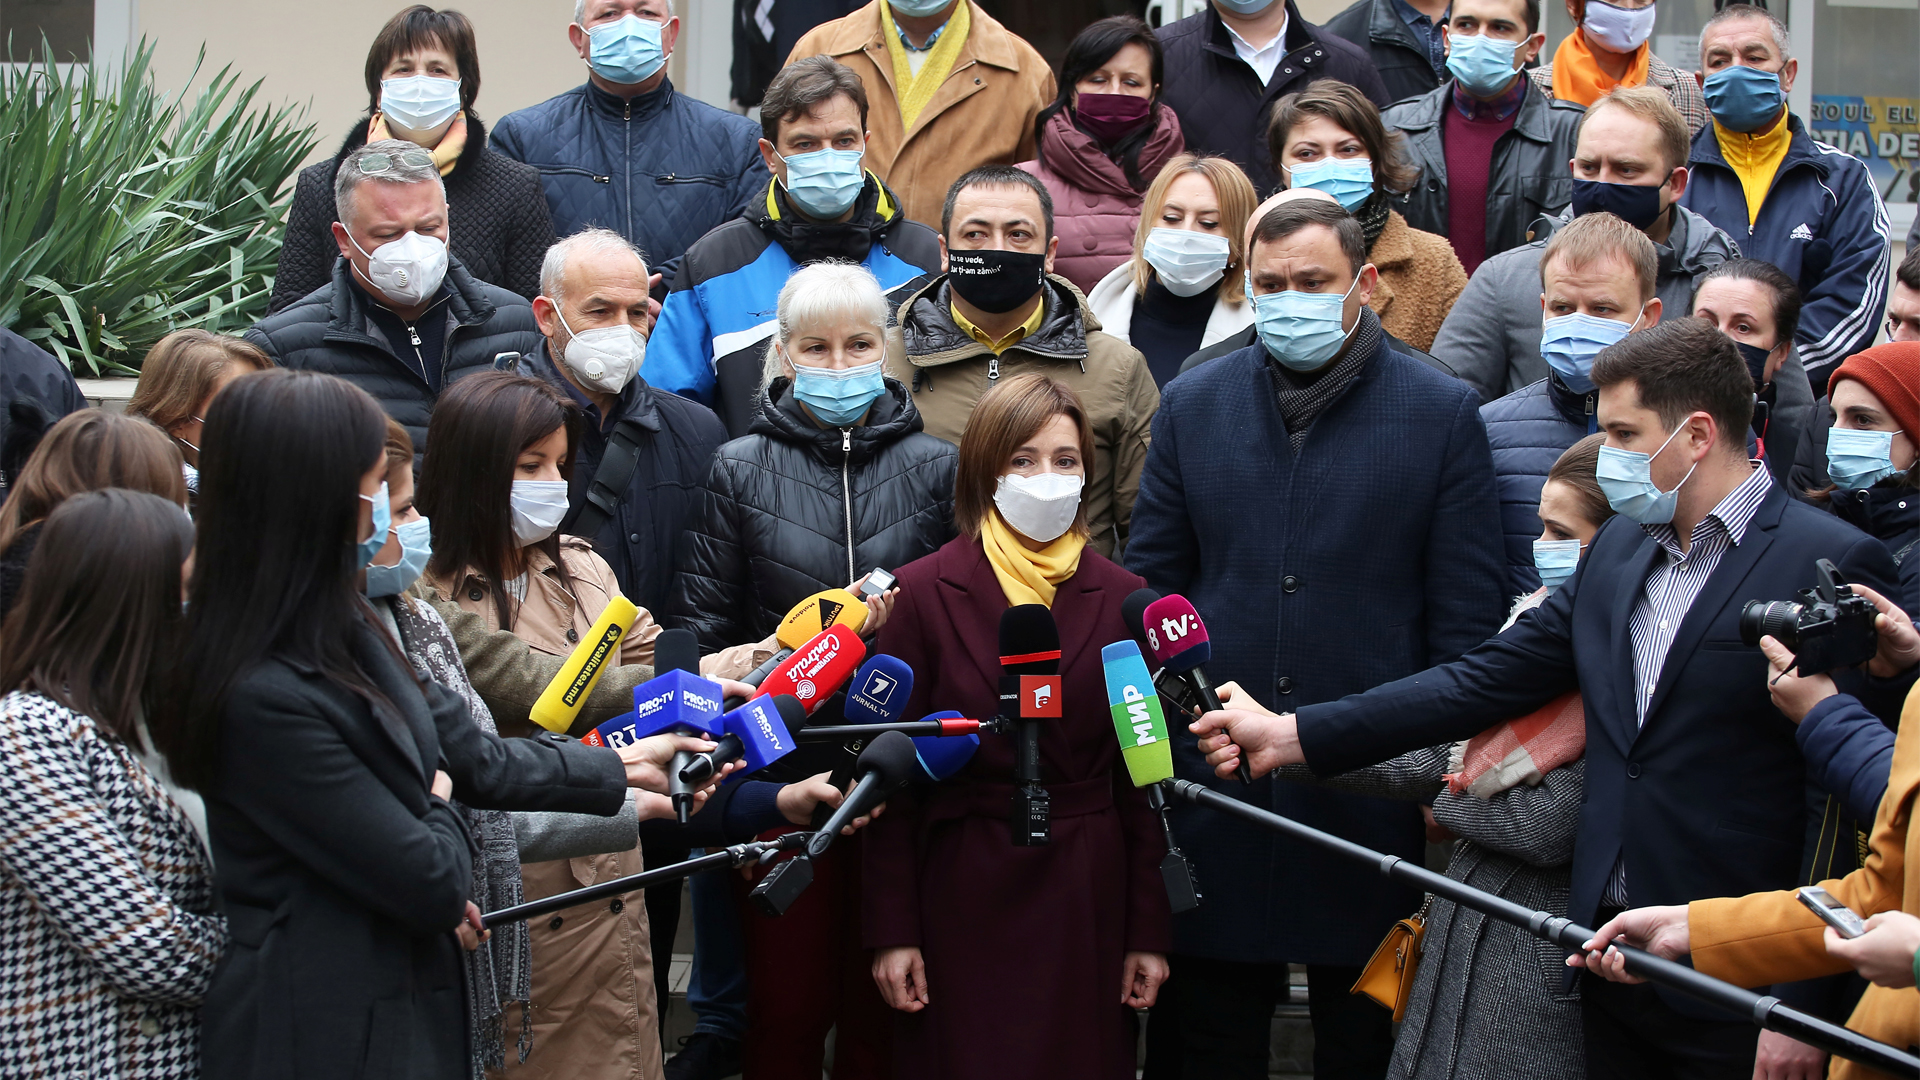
(126, 216)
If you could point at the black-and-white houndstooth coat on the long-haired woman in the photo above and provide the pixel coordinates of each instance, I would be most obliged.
(107, 906)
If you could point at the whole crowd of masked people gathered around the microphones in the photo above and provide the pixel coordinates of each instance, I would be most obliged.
(1470, 395)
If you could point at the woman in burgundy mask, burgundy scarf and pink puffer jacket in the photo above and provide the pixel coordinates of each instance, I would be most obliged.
(1103, 143)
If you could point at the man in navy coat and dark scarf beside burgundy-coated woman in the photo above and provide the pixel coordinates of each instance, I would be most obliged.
(1328, 504)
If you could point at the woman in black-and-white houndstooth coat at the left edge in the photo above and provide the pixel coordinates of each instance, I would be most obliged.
(107, 893)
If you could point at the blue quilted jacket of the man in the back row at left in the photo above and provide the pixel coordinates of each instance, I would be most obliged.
(660, 170)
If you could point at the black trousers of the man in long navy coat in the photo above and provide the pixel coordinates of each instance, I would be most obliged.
(1216, 1023)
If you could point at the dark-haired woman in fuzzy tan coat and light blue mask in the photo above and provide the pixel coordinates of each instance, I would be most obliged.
(1332, 137)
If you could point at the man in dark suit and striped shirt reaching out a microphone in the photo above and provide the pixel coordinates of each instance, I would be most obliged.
(1694, 785)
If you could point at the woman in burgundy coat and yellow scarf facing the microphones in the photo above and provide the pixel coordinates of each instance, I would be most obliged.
(1038, 954)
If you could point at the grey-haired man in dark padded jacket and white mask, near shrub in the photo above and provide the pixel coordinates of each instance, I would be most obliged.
(400, 318)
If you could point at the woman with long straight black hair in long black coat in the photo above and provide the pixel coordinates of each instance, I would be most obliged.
(327, 766)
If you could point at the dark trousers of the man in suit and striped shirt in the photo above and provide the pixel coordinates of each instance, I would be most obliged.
(1633, 1035)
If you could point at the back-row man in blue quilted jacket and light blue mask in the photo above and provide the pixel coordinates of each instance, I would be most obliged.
(627, 151)
